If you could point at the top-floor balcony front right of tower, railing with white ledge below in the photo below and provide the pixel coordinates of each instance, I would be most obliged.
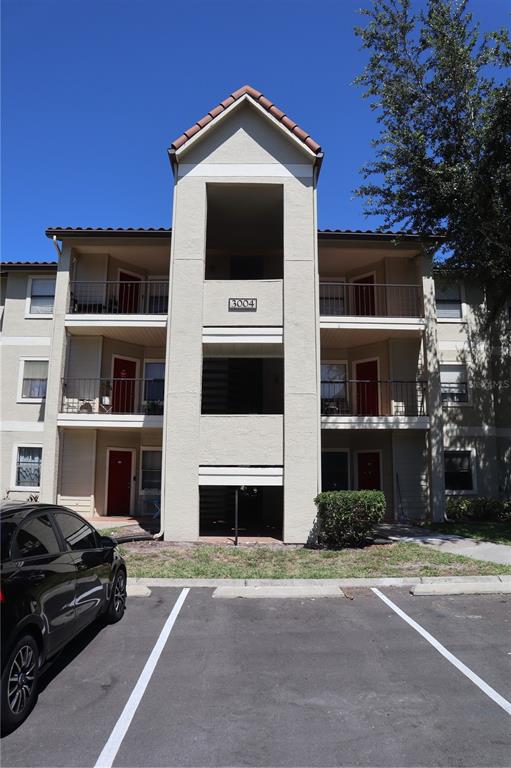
(366, 304)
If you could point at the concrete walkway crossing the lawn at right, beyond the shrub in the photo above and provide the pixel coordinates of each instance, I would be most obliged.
(454, 545)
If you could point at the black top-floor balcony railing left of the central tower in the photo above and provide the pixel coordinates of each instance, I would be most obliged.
(117, 297)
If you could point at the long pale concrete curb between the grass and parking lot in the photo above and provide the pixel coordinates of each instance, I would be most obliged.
(495, 582)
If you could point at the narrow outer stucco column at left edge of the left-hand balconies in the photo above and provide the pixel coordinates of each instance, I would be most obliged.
(56, 366)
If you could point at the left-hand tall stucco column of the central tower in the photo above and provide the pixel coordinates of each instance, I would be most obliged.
(184, 362)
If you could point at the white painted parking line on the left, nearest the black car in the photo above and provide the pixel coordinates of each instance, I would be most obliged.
(109, 752)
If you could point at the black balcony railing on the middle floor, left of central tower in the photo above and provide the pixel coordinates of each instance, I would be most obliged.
(107, 396)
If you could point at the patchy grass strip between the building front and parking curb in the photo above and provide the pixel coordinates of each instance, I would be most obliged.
(154, 559)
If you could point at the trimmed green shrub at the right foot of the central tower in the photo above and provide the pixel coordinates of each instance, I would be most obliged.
(346, 518)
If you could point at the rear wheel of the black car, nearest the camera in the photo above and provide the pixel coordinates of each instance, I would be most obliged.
(19, 683)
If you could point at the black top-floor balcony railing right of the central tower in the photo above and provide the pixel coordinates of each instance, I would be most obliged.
(369, 300)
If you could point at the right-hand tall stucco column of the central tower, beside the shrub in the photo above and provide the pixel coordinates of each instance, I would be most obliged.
(301, 402)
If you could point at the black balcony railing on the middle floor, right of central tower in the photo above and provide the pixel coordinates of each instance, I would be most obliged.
(373, 398)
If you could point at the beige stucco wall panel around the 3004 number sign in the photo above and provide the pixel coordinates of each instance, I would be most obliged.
(216, 301)
